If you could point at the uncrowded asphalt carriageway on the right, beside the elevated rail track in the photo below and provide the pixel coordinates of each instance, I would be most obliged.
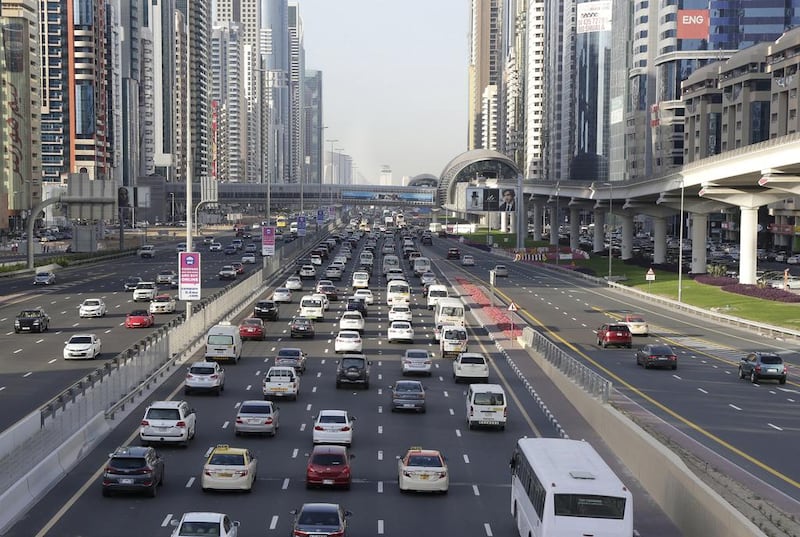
(752, 425)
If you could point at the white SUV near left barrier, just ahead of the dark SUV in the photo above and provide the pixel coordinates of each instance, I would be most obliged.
(168, 422)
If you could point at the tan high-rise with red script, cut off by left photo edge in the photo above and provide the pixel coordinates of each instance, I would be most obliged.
(20, 135)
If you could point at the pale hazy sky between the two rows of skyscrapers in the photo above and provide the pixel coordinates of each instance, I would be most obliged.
(394, 80)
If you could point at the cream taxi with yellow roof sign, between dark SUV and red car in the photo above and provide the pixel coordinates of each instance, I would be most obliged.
(229, 468)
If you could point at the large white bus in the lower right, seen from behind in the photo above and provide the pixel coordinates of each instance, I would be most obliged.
(563, 487)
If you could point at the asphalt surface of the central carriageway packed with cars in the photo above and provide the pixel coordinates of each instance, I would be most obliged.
(478, 503)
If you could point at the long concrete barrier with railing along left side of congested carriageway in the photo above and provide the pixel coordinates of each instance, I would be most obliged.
(41, 448)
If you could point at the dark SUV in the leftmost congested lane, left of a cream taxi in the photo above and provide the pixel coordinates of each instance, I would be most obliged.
(133, 469)
